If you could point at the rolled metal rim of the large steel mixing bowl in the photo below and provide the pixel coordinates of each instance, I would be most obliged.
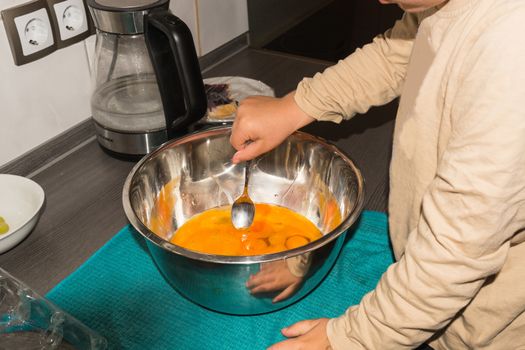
(224, 259)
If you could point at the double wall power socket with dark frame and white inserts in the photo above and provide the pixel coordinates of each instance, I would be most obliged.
(37, 28)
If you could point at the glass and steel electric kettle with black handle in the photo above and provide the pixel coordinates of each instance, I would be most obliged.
(147, 83)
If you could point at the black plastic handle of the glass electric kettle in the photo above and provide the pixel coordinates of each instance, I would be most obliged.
(172, 52)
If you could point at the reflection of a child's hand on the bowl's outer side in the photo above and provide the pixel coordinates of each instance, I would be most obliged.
(274, 276)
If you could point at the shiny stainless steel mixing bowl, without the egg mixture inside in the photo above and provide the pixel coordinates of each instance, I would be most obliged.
(305, 174)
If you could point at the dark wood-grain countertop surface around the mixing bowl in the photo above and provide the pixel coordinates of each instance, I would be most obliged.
(83, 188)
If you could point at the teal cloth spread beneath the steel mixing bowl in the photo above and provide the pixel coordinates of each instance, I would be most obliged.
(119, 293)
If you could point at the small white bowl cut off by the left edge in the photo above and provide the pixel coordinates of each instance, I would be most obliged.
(21, 200)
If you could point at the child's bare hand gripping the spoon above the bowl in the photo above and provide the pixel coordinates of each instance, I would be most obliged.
(262, 123)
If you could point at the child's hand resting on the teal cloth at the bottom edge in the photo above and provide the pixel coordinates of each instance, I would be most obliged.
(309, 334)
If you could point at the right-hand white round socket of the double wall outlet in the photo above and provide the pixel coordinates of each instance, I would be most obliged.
(71, 18)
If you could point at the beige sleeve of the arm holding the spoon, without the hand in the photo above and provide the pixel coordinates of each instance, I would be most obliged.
(371, 76)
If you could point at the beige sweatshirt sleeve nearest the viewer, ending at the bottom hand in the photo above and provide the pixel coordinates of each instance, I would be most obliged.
(468, 212)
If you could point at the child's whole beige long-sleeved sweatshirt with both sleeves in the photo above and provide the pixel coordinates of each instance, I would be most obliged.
(457, 195)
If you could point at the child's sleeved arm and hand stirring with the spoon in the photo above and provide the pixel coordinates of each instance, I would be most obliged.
(370, 76)
